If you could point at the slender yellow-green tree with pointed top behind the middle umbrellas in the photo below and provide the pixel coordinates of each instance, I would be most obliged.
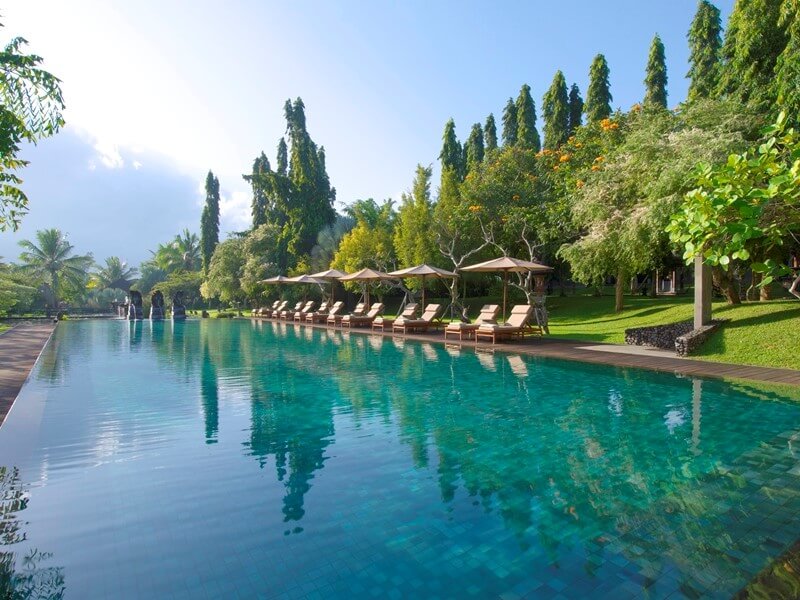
(413, 236)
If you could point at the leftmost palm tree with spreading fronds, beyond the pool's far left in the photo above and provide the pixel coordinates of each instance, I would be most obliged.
(53, 259)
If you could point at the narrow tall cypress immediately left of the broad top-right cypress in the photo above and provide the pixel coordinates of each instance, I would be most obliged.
(705, 42)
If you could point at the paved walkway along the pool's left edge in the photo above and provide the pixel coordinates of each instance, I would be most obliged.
(20, 346)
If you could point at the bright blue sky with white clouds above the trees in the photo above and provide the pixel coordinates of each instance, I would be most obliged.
(159, 92)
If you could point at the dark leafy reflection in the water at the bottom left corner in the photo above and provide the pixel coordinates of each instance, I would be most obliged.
(22, 577)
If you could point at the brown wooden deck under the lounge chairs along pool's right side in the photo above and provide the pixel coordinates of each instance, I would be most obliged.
(608, 354)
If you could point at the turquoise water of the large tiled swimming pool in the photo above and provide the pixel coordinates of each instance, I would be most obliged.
(236, 459)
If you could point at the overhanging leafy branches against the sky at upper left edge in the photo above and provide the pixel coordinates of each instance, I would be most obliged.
(30, 109)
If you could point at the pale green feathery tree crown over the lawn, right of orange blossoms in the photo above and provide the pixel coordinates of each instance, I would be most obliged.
(637, 181)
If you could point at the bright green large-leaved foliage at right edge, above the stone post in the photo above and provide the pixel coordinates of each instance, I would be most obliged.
(746, 208)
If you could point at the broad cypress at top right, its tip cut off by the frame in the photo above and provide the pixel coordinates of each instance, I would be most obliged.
(754, 39)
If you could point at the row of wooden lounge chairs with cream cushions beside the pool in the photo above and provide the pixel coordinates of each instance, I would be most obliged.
(484, 326)
